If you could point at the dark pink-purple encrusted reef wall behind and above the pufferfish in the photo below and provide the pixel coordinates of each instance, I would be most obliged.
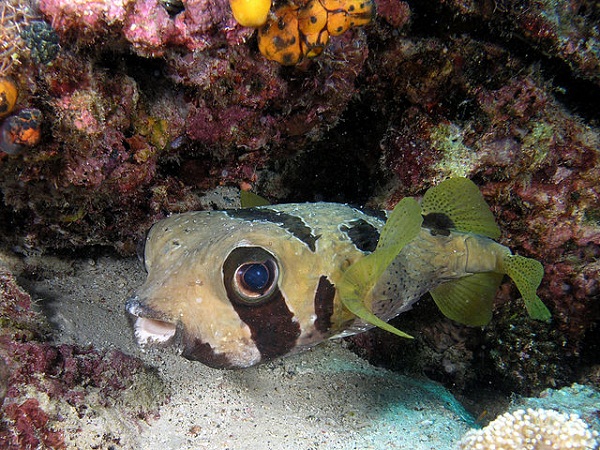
(148, 104)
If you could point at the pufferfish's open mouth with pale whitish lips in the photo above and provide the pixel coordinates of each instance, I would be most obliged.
(149, 330)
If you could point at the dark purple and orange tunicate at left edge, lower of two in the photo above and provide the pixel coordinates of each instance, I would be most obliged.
(21, 131)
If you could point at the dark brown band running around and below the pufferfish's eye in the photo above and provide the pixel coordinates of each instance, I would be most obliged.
(271, 323)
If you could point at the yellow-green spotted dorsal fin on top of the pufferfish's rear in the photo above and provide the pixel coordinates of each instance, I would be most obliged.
(460, 200)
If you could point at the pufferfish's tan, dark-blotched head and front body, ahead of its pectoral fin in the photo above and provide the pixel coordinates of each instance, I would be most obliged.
(196, 261)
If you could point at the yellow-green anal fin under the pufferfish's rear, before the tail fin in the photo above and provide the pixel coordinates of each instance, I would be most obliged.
(468, 300)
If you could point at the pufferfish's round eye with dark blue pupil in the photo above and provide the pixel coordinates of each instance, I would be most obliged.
(255, 280)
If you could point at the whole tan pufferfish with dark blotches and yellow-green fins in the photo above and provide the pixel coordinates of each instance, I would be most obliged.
(239, 287)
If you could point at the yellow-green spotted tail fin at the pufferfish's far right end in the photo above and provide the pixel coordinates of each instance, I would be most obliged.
(527, 274)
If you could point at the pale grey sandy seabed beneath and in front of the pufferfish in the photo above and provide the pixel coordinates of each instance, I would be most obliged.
(326, 398)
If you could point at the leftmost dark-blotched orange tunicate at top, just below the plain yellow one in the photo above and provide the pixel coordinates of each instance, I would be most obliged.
(279, 38)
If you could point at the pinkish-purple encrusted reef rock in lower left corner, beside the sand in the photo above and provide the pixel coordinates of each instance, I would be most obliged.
(48, 389)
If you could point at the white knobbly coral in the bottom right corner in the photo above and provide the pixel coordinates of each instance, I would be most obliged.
(539, 429)
